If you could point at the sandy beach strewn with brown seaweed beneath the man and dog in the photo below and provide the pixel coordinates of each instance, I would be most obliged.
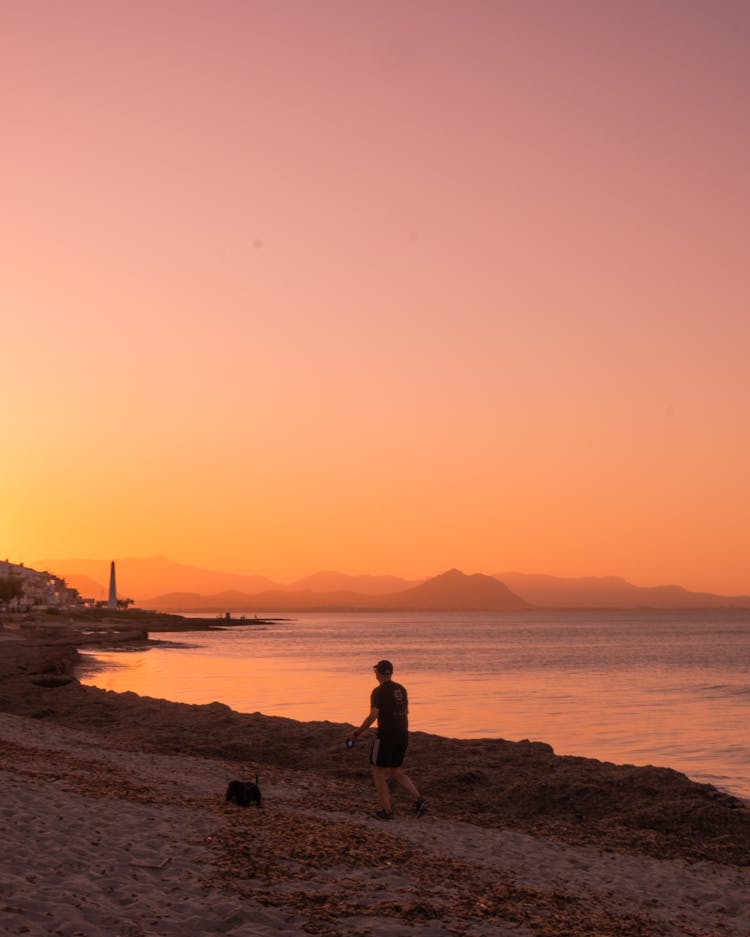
(113, 822)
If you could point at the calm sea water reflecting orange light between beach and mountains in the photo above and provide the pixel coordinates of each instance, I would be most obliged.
(670, 689)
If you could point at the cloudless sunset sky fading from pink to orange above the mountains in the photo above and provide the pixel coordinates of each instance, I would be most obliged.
(380, 287)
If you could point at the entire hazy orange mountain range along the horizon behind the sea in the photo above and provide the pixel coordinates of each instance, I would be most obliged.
(161, 584)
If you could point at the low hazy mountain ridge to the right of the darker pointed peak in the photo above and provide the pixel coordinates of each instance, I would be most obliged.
(611, 592)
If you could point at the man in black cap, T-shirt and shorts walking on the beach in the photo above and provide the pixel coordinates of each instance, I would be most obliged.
(389, 705)
